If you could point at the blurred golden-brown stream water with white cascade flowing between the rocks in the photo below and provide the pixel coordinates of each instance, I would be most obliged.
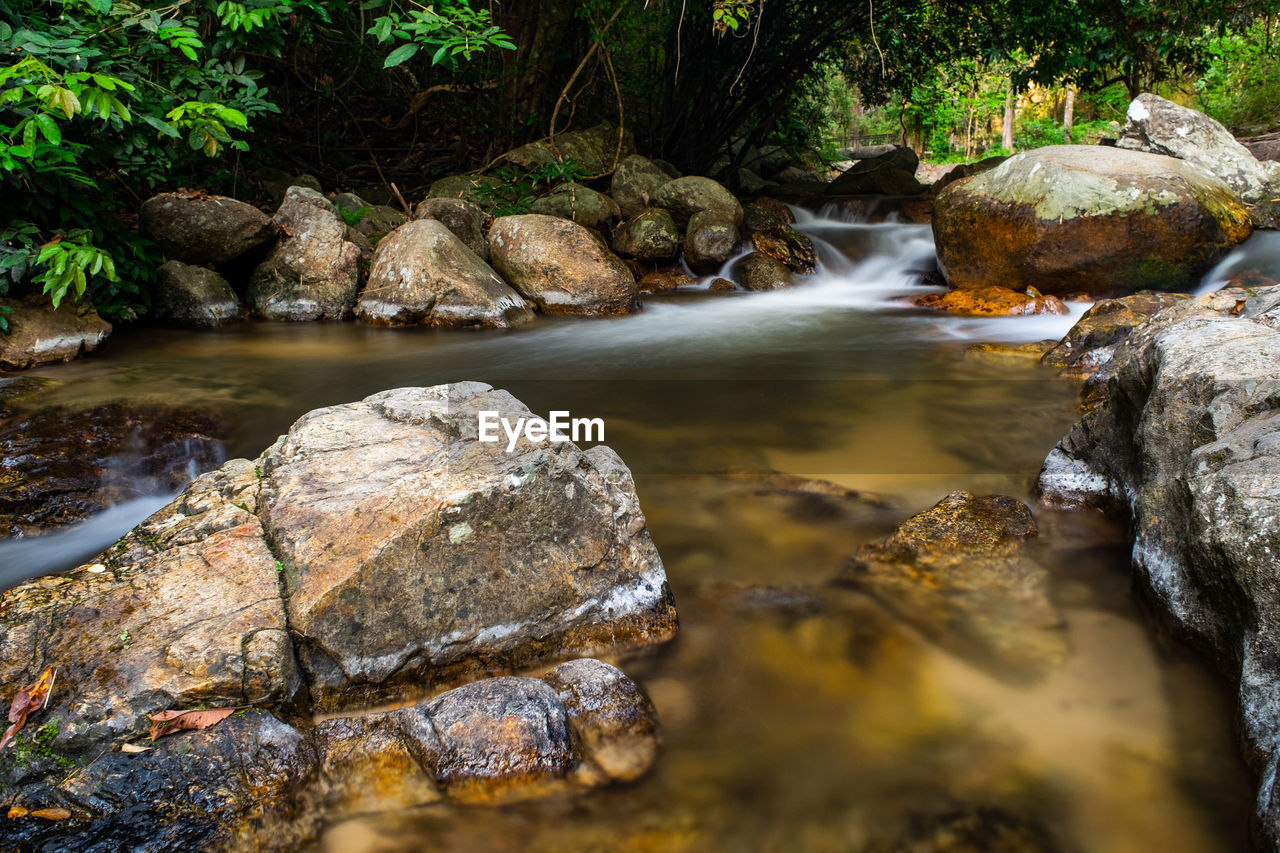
(797, 717)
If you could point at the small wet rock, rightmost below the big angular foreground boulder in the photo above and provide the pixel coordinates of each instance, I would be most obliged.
(615, 720)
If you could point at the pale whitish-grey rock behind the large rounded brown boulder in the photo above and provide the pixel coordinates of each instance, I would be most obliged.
(1163, 127)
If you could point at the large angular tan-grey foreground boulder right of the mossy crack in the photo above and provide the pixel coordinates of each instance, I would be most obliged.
(495, 559)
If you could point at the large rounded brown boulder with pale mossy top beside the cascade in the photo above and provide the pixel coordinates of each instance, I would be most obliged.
(1077, 220)
